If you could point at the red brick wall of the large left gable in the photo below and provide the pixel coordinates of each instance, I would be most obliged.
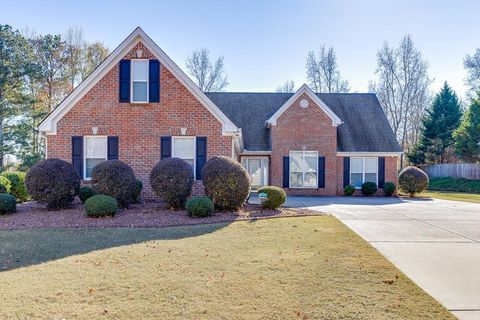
(139, 126)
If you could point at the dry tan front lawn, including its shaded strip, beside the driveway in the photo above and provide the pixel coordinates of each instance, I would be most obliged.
(288, 268)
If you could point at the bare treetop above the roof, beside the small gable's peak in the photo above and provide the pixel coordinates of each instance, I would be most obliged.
(322, 72)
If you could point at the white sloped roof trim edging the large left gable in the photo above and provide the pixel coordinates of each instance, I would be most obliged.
(49, 124)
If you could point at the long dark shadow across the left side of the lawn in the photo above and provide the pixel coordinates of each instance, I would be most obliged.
(20, 248)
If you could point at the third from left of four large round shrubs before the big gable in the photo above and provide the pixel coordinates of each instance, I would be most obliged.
(172, 180)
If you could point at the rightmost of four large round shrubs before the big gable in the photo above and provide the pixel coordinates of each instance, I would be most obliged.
(226, 182)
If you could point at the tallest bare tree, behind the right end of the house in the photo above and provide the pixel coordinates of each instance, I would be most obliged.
(402, 88)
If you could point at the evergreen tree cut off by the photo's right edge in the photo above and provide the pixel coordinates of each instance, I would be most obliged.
(467, 136)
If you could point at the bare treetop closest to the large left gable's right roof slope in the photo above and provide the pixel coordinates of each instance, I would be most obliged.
(209, 77)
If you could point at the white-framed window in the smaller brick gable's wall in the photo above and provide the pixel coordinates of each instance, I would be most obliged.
(303, 169)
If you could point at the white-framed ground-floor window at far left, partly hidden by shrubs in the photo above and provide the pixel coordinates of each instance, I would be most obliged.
(95, 151)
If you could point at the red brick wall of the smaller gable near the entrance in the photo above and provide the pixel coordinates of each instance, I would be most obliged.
(305, 129)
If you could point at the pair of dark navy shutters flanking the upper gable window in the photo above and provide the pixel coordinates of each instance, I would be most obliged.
(154, 81)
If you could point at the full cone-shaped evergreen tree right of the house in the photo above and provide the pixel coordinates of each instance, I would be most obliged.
(438, 125)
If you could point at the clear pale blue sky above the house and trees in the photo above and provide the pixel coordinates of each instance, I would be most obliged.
(266, 42)
